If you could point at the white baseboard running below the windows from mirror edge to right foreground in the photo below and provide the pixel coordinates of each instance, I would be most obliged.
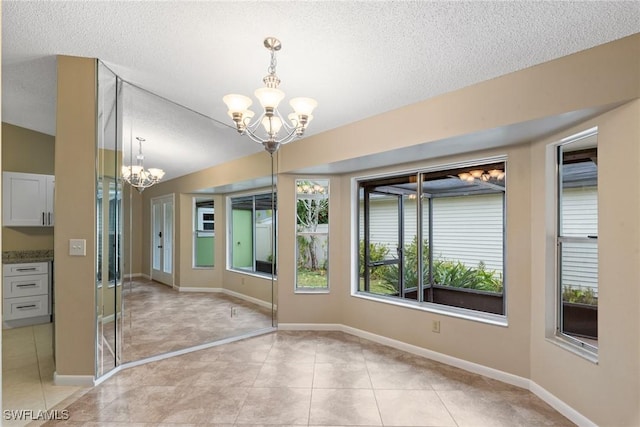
(486, 371)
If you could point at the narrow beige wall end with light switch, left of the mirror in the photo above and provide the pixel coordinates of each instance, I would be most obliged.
(75, 156)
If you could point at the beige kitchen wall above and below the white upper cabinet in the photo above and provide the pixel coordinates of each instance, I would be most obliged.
(28, 151)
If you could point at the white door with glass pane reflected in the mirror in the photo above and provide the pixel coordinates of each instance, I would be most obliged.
(162, 240)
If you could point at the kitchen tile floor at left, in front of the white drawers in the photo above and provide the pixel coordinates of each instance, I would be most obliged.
(27, 371)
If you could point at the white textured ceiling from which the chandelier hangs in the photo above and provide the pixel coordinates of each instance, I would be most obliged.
(357, 59)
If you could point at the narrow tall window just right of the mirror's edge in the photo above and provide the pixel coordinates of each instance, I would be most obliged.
(312, 235)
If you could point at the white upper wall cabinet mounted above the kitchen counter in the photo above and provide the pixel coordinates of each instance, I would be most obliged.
(27, 199)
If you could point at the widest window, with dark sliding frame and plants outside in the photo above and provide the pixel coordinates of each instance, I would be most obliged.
(435, 237)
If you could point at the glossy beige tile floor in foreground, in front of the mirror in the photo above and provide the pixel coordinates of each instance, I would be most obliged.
(307, 379)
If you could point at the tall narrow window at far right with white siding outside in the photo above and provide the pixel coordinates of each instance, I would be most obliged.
(577, 241)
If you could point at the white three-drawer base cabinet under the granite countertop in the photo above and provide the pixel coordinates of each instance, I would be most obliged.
(26, 295)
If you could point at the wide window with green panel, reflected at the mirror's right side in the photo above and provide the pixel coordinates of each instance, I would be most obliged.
(252, 233)
